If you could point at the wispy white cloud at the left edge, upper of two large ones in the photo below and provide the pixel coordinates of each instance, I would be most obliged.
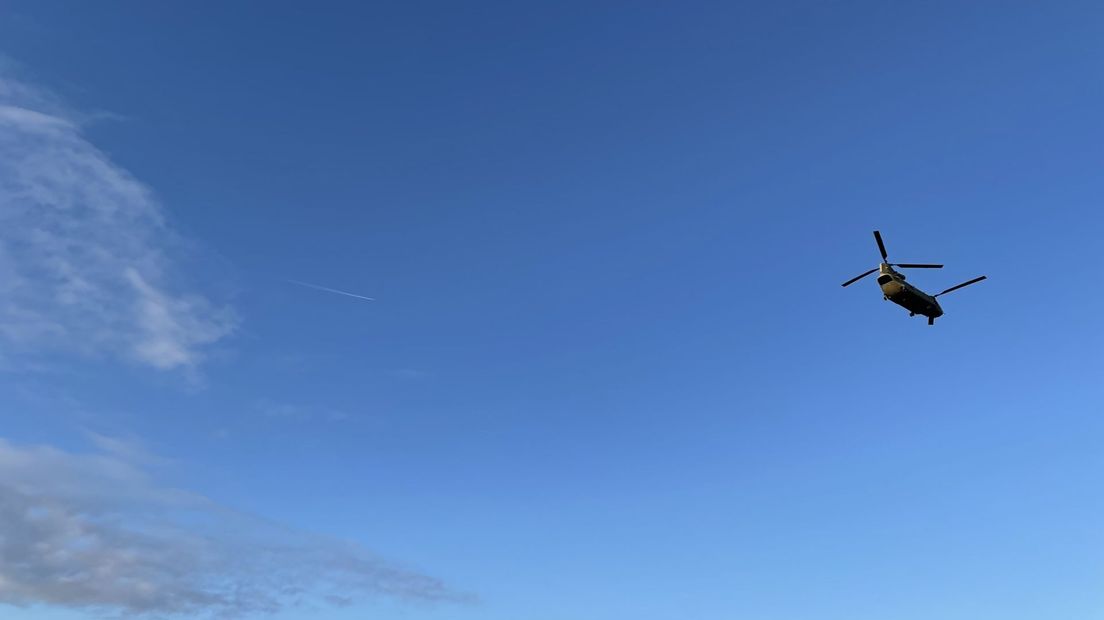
(86, 251)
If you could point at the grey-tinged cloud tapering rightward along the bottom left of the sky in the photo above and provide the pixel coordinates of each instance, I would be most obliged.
(97, 532)
